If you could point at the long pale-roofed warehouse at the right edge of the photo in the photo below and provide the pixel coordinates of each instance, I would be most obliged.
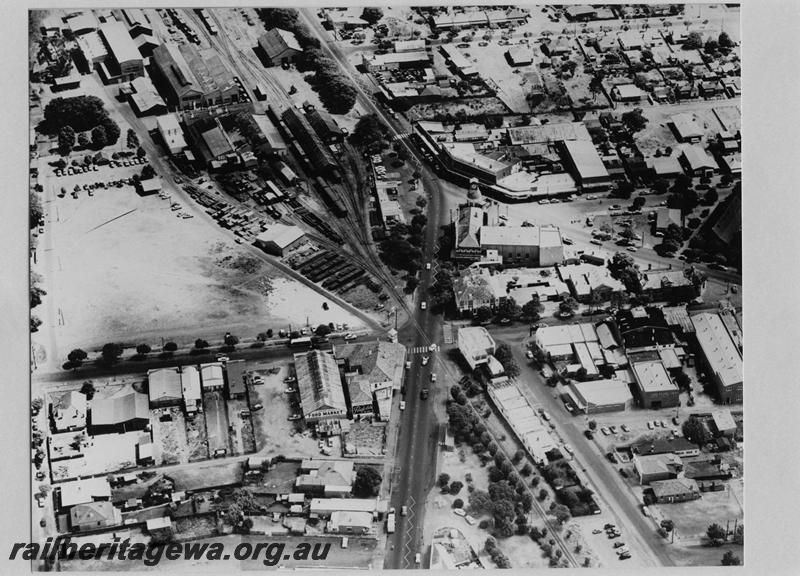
(720, 356)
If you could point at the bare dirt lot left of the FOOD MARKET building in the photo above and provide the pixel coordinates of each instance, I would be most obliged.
(274, 433)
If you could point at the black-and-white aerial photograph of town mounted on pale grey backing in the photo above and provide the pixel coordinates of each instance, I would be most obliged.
(362, 288)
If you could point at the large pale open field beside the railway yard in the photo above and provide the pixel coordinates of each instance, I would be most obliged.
(180, 279)
